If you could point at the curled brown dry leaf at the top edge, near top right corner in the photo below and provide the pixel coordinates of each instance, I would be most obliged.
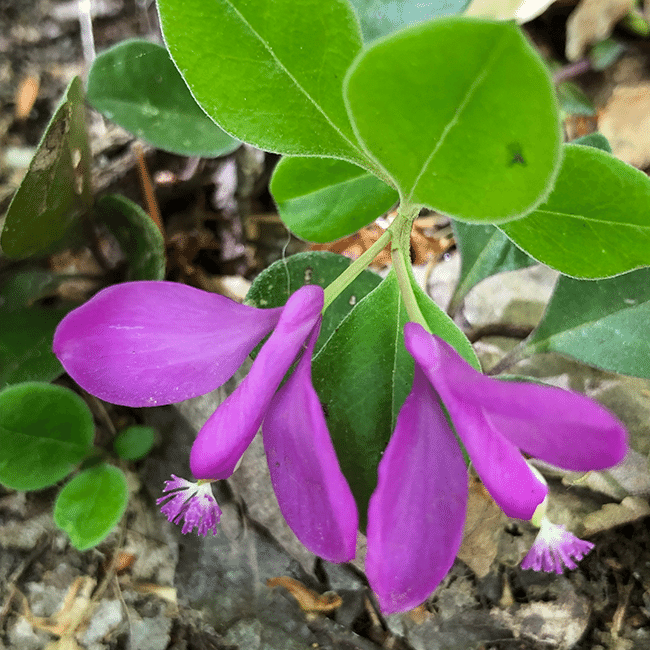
(591, 22)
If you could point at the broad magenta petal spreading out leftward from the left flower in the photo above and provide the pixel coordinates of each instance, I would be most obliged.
(150, 343)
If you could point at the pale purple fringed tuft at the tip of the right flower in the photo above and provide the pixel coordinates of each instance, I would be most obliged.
(555, 549)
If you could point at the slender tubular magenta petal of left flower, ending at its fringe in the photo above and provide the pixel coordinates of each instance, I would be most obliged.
(225, 436)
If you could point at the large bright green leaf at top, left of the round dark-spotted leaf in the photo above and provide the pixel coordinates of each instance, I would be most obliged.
(269, 73)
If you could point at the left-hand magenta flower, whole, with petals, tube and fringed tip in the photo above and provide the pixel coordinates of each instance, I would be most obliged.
(152, 343)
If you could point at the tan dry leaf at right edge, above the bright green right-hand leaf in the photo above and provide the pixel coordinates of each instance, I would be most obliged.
(625, 122)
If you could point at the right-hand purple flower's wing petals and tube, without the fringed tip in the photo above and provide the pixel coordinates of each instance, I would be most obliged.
(416, 514)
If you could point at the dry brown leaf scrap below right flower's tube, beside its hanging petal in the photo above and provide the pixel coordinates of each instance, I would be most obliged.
(483, 527)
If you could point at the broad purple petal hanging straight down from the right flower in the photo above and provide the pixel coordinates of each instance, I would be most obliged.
(417, 511)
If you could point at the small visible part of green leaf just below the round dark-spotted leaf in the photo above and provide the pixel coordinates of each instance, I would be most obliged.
(484, 251)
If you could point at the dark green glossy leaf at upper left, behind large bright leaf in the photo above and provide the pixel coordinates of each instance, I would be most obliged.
(136, 85)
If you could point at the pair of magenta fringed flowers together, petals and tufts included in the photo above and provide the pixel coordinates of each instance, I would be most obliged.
(147, 343)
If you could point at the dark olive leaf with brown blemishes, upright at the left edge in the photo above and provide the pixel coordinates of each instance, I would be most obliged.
(44, 213)
